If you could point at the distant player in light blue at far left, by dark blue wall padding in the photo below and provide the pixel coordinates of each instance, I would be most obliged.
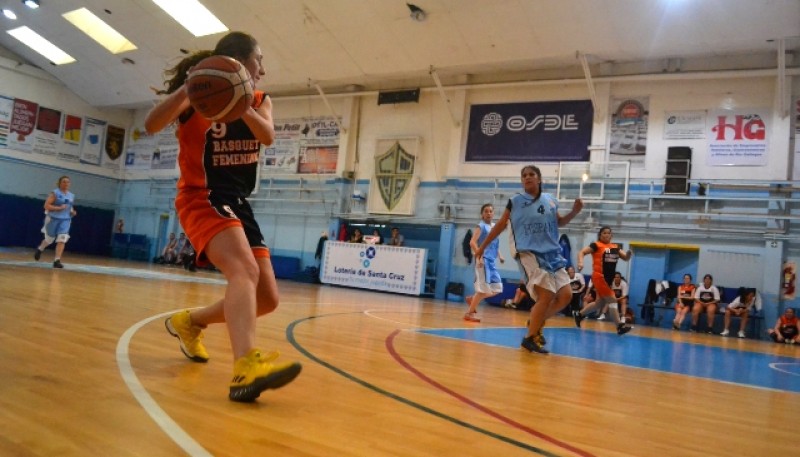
(59, 208)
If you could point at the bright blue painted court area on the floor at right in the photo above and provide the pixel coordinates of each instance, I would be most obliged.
(721, 364)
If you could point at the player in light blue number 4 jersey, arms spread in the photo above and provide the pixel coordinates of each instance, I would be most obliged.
(534, 222)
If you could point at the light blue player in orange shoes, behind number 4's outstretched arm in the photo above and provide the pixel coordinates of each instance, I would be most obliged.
(487, 279)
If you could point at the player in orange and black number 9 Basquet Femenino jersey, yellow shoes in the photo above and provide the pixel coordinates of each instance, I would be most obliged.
(218, 170)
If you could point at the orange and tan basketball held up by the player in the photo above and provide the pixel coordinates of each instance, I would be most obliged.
(220, 89)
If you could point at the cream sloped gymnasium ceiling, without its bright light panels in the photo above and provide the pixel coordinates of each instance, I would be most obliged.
(354, 45)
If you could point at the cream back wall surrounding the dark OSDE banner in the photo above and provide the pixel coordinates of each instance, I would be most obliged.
(443, 143)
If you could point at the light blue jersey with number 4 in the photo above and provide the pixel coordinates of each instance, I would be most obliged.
(534, 227)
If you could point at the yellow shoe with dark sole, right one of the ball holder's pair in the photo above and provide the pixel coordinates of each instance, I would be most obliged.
(256, 372)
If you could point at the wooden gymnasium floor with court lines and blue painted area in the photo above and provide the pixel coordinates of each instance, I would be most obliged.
(88, 369)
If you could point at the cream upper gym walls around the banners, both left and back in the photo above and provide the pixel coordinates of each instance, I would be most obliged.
(443, 143)
